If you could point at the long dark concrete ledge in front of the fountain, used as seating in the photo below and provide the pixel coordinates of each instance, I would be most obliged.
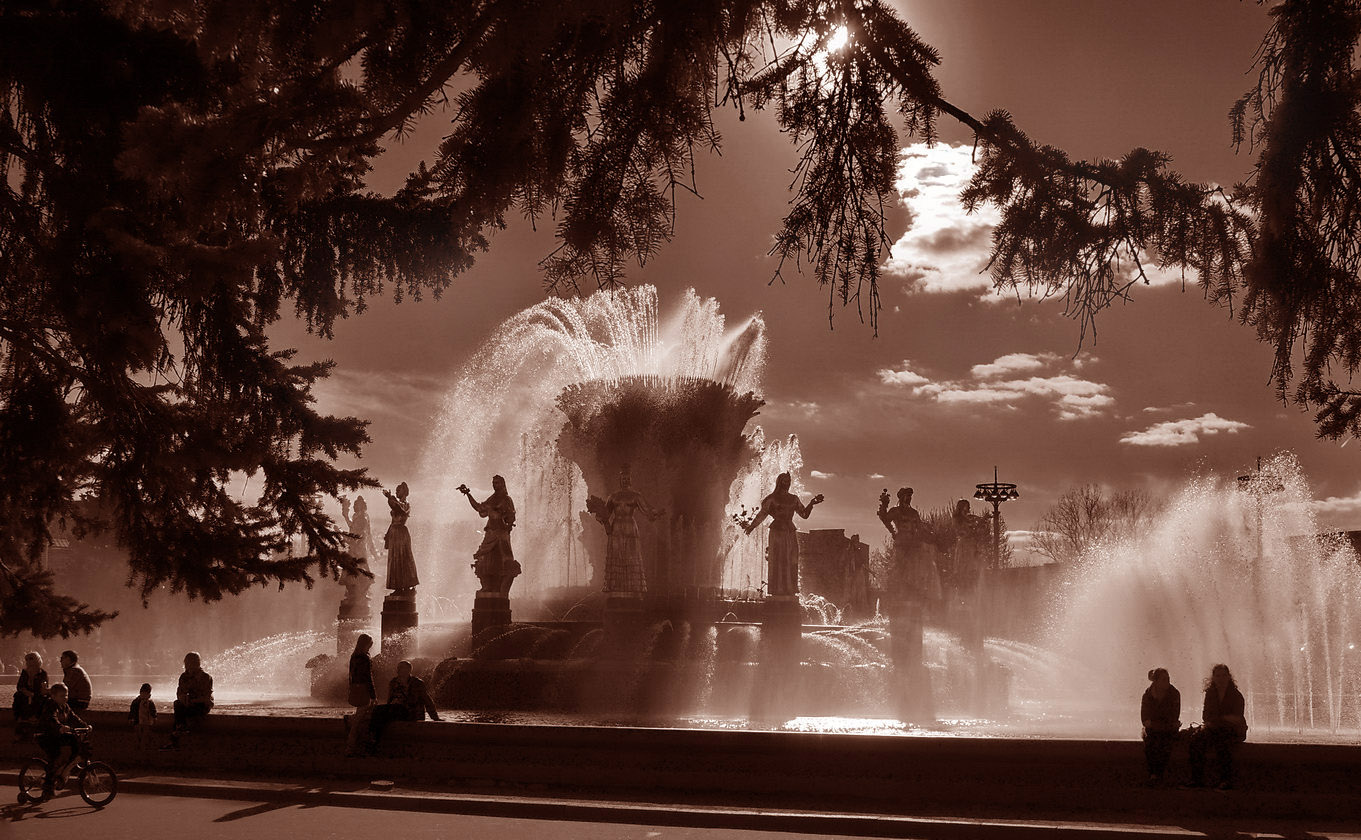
(921, 777)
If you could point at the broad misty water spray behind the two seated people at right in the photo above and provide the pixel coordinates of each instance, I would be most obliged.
(1230, 572)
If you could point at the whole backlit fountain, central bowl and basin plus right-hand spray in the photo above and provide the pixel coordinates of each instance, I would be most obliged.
(568, 393)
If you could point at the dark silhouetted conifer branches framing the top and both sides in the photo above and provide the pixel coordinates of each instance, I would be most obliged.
(178, 175)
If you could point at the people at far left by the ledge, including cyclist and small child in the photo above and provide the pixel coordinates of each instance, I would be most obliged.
(51, 710)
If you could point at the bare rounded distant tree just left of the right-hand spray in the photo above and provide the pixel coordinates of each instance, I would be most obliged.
(1089, 517)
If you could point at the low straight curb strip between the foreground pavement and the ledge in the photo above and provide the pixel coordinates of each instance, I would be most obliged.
(635, 813)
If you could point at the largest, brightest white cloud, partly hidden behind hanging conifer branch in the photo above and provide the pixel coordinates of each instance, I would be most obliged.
(947, 250)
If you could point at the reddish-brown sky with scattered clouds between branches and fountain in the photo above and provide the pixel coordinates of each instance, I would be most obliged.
(959, 381)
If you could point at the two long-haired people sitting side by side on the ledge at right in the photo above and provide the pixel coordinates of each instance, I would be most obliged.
(1223, 729)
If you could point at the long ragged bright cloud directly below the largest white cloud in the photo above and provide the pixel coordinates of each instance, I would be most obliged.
(1072, 397)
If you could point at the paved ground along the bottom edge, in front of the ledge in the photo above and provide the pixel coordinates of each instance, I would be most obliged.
(154, 808)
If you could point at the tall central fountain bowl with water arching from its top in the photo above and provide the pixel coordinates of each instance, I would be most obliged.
(567, 391)
